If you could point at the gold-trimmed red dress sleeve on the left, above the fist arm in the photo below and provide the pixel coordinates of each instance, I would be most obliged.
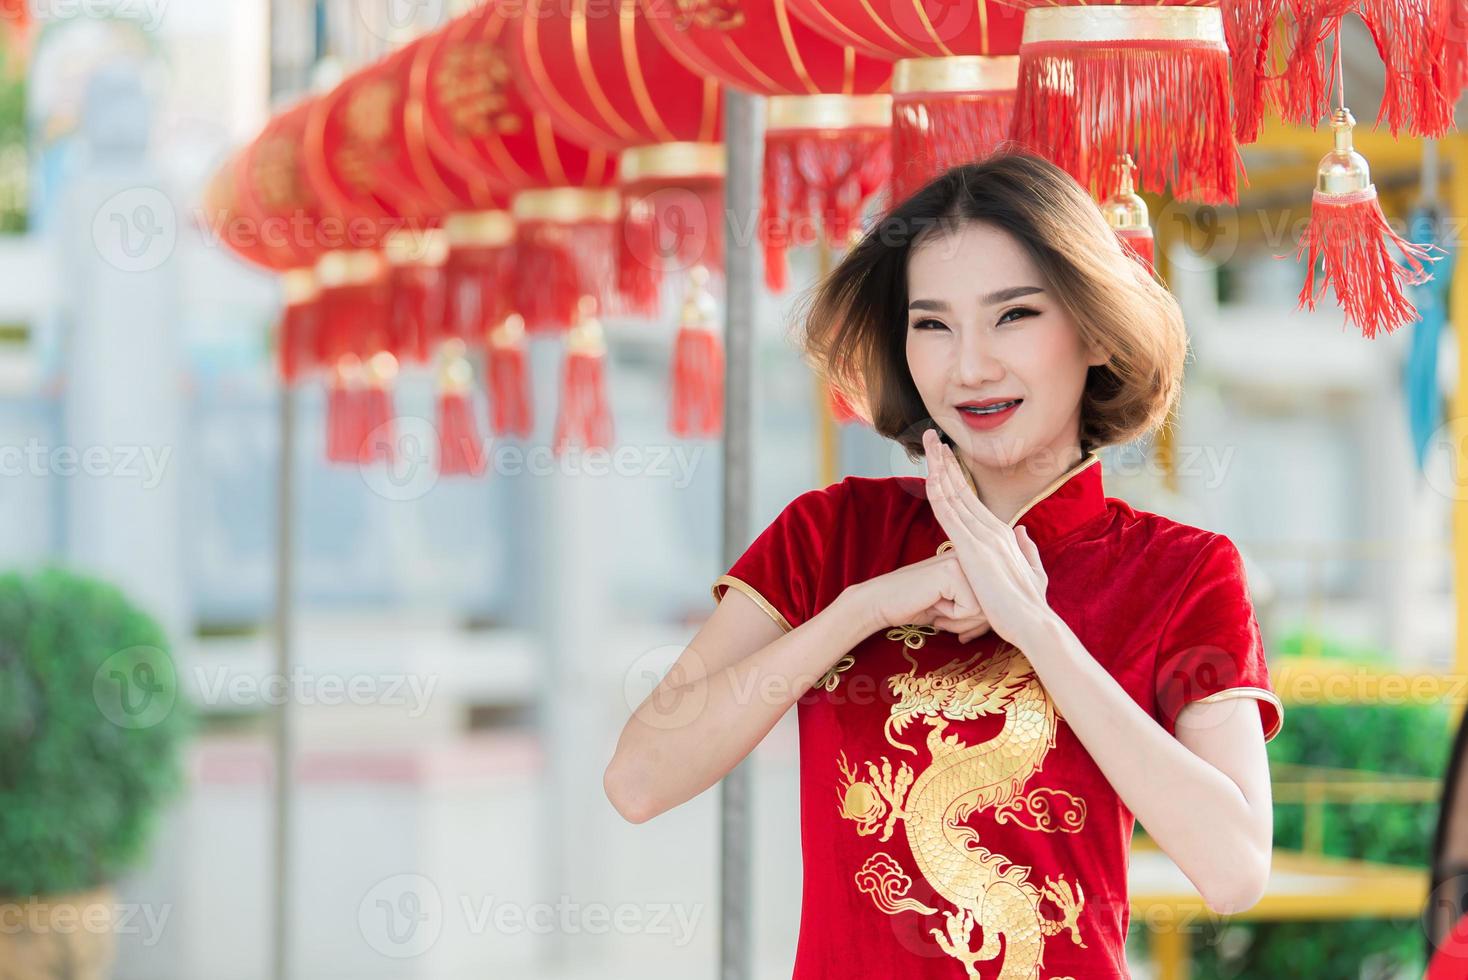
(782, 568)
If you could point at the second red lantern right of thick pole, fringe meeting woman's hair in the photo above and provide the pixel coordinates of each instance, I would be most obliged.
(953, 86)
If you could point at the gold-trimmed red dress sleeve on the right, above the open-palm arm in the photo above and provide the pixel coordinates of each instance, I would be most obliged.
(1212, 648)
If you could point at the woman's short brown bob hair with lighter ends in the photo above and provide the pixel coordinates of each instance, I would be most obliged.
(857, 318)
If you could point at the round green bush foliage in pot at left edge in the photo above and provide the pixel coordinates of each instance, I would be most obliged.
(93, 727)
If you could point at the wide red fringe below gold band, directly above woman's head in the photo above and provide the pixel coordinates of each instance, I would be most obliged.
(1081, 131)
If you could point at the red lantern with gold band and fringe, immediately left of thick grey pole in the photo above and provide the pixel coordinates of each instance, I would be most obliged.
(606, 81)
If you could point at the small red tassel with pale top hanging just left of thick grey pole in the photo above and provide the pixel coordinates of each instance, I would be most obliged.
(698, 366)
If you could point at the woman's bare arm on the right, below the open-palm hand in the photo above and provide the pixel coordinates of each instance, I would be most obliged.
(1203, 796)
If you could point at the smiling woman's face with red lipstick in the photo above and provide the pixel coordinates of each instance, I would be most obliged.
(981, 326)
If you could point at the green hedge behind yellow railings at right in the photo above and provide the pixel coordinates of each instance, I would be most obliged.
(1403, 740)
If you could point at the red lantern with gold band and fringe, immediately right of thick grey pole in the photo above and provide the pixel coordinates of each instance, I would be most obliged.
(827, 143)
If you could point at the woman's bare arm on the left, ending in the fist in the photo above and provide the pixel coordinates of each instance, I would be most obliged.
(738, 677)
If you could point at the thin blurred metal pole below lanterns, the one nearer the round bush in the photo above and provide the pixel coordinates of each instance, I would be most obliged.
(284, 784)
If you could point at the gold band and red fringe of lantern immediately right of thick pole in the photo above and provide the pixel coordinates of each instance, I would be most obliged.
(824, 158)
